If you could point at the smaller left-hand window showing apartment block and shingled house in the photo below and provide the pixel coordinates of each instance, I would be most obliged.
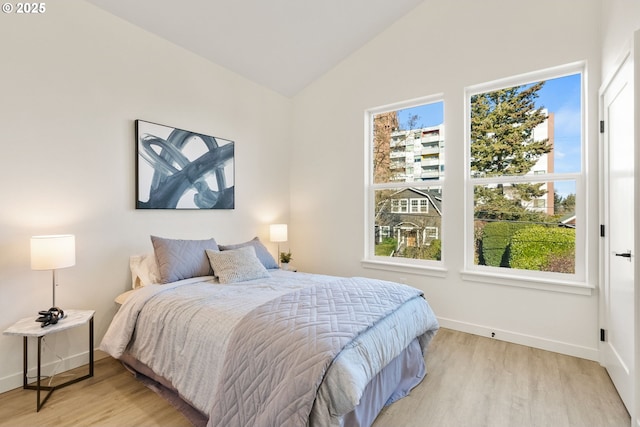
(405, 190)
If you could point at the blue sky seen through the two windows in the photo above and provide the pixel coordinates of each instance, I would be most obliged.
(561, 96)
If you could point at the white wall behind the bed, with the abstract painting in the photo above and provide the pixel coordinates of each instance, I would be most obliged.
(73, 81)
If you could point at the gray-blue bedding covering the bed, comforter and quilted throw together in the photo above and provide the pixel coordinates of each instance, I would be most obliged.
(195, 333)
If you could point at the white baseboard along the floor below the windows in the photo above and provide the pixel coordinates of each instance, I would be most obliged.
(522, 339)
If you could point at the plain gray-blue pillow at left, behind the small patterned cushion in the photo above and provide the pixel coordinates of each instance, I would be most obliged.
(182, 259)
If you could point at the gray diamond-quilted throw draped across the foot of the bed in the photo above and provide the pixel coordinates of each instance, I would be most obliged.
(273, 382)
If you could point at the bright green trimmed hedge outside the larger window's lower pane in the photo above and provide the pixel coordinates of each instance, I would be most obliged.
(543, 249)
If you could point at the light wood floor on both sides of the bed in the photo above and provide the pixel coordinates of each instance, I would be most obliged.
(472, 382)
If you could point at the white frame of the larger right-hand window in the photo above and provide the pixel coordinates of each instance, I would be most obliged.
(564, 282)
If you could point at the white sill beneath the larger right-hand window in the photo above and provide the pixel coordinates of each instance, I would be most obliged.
(563, 286)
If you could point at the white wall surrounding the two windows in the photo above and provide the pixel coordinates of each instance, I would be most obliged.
(442, 47)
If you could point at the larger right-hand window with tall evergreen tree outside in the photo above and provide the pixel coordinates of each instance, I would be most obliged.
(525, 179)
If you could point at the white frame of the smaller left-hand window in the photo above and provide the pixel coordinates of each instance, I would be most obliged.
(405, 265)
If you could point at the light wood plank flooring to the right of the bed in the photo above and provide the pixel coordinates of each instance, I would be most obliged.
(474, 381)
